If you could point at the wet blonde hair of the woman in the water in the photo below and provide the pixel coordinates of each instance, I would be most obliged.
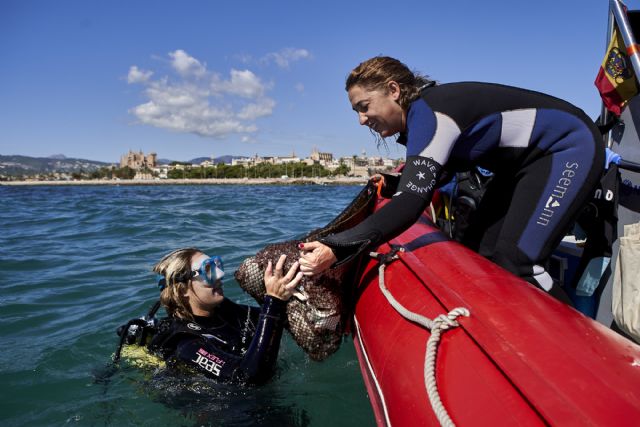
(176, 269)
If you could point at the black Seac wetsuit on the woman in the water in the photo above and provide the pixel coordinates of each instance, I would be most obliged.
(236, 343)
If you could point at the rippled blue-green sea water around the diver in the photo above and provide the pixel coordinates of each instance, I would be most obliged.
(75, 263)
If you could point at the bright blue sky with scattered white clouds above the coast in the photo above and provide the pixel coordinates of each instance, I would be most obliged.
(184, 79)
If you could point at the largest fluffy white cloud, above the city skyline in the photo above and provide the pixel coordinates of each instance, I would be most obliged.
(201, 102)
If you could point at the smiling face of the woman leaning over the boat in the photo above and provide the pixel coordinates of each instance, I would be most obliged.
(378, 108)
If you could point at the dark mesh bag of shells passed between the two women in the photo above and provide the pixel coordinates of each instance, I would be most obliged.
(318, 312)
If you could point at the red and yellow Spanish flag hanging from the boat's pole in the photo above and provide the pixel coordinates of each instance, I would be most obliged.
(616, 80)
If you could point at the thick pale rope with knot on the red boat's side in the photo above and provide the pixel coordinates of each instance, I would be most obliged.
(437, 326)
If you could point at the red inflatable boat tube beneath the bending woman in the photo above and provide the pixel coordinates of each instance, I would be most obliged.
(520, 358)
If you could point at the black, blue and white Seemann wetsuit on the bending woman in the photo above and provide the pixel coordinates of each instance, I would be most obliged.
(546, 156)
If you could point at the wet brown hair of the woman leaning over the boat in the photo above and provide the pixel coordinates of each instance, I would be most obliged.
(376, 72)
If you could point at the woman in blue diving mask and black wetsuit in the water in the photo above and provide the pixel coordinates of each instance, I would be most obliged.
(210, 333)
